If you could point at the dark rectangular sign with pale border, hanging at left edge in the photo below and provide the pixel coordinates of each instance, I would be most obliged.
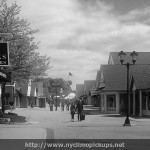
(4, 54)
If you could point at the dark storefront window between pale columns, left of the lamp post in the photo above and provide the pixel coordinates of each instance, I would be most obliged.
(111, 102)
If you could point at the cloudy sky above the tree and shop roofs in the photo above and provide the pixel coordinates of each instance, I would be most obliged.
(78, 35)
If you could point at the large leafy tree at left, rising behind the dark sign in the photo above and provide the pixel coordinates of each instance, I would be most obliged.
(25, 61)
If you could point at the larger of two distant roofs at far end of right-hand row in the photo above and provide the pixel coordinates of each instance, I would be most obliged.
(88, 85)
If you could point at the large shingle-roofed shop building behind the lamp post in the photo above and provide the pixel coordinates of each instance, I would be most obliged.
(112, 85)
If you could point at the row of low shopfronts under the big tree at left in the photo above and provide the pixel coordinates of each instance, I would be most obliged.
(30, 93)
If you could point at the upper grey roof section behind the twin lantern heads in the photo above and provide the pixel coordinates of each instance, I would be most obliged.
(143, 58)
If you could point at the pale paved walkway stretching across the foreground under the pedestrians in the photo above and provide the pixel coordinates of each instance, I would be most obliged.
(45, 124)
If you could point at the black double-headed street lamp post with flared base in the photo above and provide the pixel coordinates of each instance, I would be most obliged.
(122, 56)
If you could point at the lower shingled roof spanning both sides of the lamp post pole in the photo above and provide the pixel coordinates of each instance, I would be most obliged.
(115, 77)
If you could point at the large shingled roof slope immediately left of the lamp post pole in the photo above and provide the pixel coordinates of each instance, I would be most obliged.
(115, 77)
